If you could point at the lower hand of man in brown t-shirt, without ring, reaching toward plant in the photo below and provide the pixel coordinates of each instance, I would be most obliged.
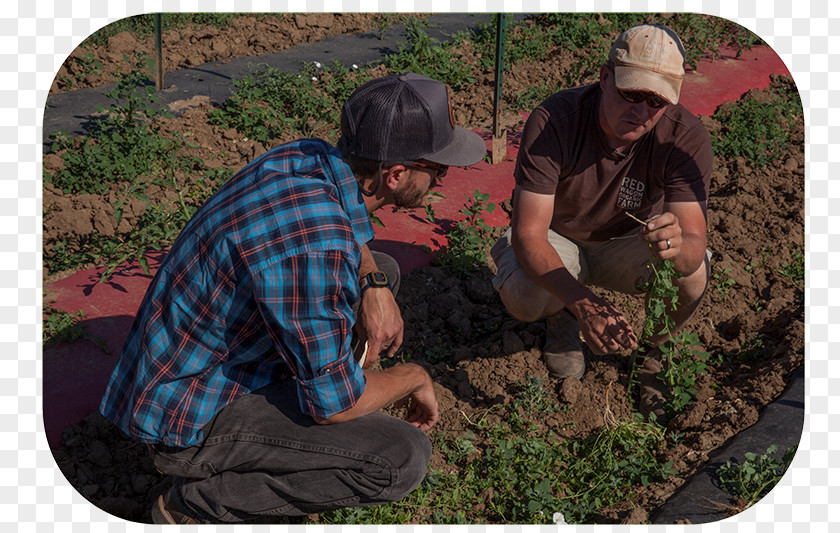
(604, 329)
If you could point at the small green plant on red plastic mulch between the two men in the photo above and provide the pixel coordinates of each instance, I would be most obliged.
(466, 243)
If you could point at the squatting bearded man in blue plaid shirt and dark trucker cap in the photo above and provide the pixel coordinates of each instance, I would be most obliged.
(239, 371)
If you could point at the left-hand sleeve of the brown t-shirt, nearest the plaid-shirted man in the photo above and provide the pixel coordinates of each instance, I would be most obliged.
(538, 162)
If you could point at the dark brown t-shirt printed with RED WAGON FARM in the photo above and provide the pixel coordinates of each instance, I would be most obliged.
(564, 152)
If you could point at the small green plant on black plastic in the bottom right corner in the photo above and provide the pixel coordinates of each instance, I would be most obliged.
(753, 479)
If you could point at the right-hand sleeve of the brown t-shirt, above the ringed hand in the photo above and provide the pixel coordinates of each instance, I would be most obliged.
(689, 168)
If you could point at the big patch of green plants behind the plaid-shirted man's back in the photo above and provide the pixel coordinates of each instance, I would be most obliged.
(125, 152)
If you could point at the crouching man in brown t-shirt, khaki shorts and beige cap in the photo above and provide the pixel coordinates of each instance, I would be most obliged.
(589, 156)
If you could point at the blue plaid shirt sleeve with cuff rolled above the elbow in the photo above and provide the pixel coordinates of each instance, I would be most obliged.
(306, 301)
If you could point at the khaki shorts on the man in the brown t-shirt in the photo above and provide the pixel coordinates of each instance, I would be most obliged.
(621, 264)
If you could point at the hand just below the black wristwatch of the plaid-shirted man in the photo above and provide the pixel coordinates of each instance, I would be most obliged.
(379, 323)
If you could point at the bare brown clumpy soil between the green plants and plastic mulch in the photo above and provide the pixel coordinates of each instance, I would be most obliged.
(755, 323)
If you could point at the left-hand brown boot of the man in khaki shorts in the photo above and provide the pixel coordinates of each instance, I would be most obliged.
(563, 351)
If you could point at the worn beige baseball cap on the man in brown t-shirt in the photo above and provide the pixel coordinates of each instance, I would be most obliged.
(649, 58)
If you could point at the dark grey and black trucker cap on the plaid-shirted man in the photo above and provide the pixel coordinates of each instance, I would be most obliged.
(407, 117)
